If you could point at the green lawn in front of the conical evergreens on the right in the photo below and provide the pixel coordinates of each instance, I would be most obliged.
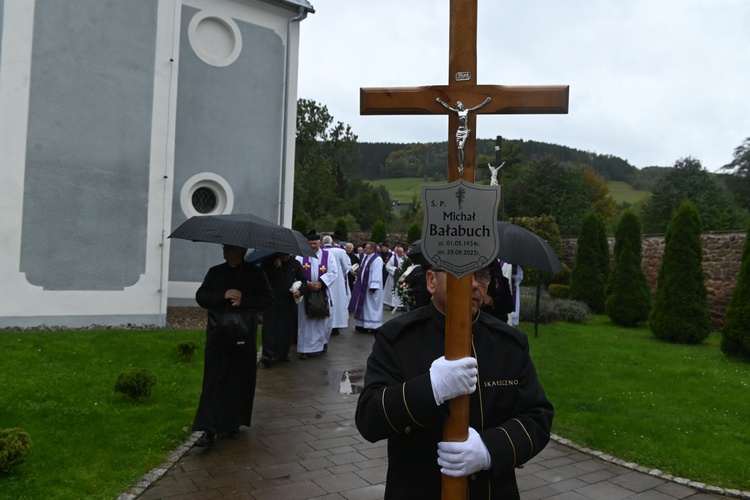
(682, 409)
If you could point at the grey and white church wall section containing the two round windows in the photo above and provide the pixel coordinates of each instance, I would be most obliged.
(241, 85)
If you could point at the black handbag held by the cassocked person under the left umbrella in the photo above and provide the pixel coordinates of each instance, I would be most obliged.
(232, 329)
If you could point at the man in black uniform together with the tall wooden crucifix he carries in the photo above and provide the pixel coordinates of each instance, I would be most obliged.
(497, 416)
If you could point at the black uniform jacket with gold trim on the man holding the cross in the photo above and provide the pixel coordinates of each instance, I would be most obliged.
(508, 409)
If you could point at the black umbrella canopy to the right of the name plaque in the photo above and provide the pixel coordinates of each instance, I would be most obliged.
(524, 248)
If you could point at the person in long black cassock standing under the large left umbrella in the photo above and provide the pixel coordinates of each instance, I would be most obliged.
(234, 294)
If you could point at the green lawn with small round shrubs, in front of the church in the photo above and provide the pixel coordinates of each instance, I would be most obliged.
(87, 441)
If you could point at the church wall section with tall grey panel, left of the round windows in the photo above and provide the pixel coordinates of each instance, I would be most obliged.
(85, 142)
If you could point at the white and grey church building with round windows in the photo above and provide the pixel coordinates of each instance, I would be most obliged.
(119, 120)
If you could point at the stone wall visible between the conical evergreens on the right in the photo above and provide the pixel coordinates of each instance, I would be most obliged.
(722, 257)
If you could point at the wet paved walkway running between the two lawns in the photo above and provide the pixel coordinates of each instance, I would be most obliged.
(303, 444)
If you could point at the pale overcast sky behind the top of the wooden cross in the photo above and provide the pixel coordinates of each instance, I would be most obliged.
(651, 81)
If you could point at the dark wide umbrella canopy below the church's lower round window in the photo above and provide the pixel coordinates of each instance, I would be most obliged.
(243, 230)
